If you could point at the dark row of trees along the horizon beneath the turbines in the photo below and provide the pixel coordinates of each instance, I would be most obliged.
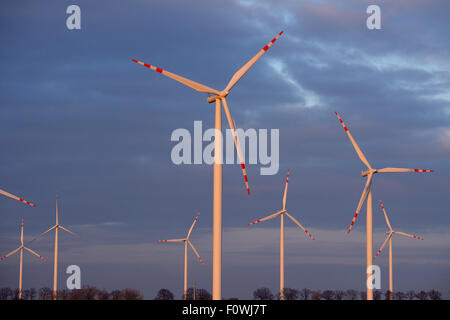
(93, 293)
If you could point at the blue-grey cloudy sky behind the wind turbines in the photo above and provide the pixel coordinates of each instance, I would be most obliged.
(80, 119)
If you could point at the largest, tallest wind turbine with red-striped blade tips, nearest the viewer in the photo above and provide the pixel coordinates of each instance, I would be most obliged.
(219, 98)
